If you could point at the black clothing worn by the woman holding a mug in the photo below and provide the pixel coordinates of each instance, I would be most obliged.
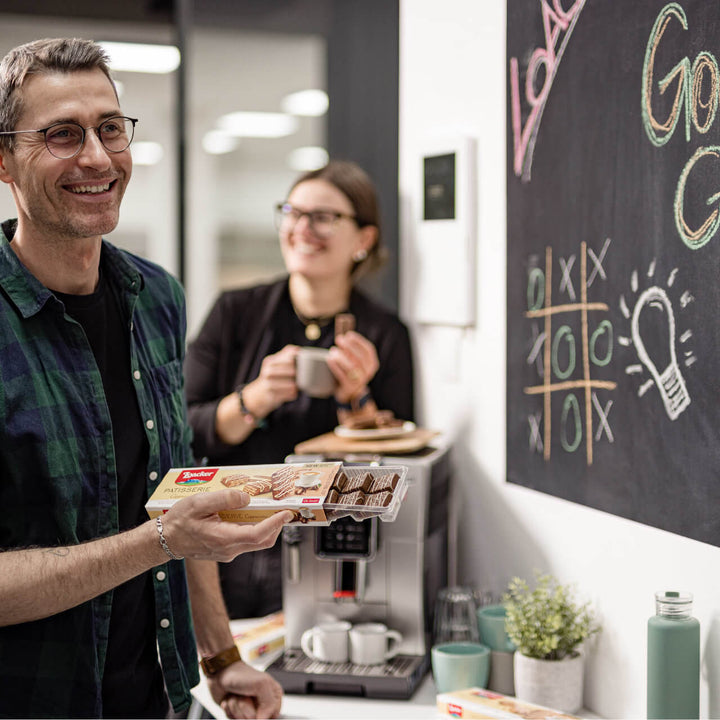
(243, 327)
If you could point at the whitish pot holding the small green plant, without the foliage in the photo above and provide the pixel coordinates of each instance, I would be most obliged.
(556, 684)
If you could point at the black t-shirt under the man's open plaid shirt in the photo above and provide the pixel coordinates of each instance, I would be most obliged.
(133, 685)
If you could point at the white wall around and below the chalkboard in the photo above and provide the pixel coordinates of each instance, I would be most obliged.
(453, 76)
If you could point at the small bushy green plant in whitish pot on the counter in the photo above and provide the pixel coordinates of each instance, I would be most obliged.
(548, 626)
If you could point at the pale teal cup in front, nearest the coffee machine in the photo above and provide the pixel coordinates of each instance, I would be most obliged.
(458, 666)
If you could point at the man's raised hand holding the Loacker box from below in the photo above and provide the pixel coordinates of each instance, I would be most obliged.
(194, 530)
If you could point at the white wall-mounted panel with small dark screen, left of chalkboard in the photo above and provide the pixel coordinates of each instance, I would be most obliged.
(442, 282)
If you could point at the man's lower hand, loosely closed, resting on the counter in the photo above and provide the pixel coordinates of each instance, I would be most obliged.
(243, 692)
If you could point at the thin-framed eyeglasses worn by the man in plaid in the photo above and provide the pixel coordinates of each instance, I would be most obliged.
(65, 140)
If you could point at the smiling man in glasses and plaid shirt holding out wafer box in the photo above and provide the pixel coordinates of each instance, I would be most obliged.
(91, 417)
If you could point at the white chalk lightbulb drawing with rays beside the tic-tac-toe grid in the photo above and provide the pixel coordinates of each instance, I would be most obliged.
(656, 350)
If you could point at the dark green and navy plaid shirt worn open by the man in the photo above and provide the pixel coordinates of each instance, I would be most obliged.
(58, 483)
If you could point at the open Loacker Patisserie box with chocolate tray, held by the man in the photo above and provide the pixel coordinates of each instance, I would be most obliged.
(317, 492)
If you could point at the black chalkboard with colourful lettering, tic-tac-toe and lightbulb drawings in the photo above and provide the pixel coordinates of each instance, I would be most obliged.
(613, 279)
